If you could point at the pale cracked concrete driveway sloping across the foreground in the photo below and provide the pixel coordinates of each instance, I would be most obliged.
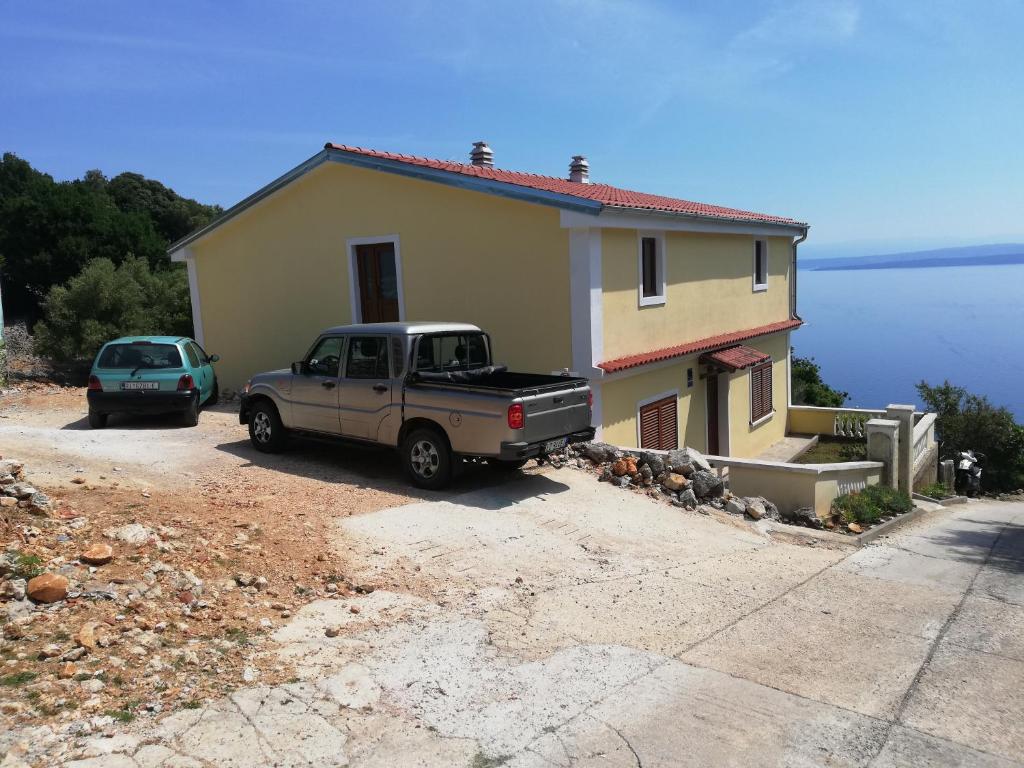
(556, 622)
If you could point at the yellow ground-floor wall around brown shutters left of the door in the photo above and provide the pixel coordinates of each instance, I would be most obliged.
(621, 399)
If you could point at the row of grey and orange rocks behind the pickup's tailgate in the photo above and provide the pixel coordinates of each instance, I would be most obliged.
(684, 478)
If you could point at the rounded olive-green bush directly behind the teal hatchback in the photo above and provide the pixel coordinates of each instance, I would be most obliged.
(105, 302)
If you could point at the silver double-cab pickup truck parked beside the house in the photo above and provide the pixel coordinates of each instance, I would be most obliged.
(430, 390)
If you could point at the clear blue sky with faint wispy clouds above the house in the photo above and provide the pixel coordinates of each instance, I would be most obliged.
(886, 125)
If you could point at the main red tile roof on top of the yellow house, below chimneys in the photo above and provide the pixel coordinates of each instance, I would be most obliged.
(604, 194)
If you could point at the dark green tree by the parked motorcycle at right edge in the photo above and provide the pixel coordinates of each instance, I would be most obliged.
(971, 421)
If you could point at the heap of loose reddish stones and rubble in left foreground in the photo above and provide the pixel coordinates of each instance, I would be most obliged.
(132, 609)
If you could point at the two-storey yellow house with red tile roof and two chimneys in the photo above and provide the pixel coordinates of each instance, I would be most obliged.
(679, 313)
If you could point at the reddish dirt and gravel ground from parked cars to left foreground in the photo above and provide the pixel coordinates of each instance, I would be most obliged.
(238, 543)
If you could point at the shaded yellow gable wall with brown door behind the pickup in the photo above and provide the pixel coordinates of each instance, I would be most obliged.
(274, 277)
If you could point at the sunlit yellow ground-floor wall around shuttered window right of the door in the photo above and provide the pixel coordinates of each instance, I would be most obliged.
(748, 441)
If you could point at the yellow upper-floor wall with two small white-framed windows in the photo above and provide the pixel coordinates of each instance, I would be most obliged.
(709, 290)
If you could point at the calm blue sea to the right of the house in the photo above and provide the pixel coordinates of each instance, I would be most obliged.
(877, 333)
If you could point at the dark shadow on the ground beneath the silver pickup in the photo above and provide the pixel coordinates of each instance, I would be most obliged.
(372, 467)
